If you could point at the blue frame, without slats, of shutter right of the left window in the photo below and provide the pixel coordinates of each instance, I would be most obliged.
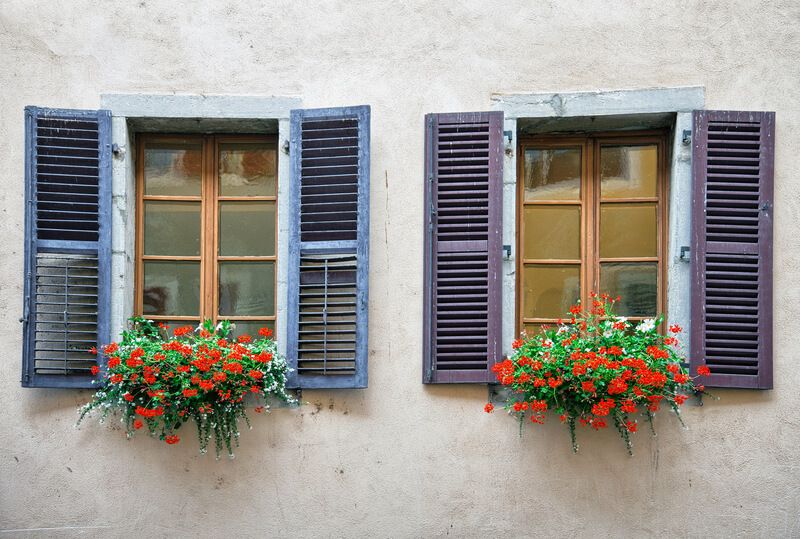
(358, 380)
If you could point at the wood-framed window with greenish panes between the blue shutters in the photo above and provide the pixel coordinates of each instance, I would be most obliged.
(206, 229)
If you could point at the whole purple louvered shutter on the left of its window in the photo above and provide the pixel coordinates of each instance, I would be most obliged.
(463, 246)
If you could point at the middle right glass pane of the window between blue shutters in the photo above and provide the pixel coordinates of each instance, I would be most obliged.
(246, 228)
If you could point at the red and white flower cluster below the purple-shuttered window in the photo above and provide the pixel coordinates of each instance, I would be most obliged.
(597, 369)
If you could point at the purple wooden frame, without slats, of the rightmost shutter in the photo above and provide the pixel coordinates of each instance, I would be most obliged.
(763, 249)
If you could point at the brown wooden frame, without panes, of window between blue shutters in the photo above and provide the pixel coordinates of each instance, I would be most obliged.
(209, 199)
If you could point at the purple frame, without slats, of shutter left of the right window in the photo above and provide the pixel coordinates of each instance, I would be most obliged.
(430, 374)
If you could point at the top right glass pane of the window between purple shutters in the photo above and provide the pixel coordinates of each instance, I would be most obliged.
(628, 171)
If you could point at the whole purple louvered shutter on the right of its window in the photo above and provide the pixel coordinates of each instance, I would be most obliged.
(733, 161)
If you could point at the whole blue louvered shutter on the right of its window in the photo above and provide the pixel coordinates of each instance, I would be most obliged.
(329, 248)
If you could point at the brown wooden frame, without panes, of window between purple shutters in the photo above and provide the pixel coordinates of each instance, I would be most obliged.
(589, 203)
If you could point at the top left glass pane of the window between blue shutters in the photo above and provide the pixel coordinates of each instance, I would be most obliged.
(172, 168)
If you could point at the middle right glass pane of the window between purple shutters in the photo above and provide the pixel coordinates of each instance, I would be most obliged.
(628, 230)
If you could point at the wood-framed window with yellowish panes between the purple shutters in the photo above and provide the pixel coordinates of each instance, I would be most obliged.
(591, 217)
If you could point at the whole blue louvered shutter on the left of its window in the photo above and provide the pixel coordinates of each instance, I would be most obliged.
(67, 245)
